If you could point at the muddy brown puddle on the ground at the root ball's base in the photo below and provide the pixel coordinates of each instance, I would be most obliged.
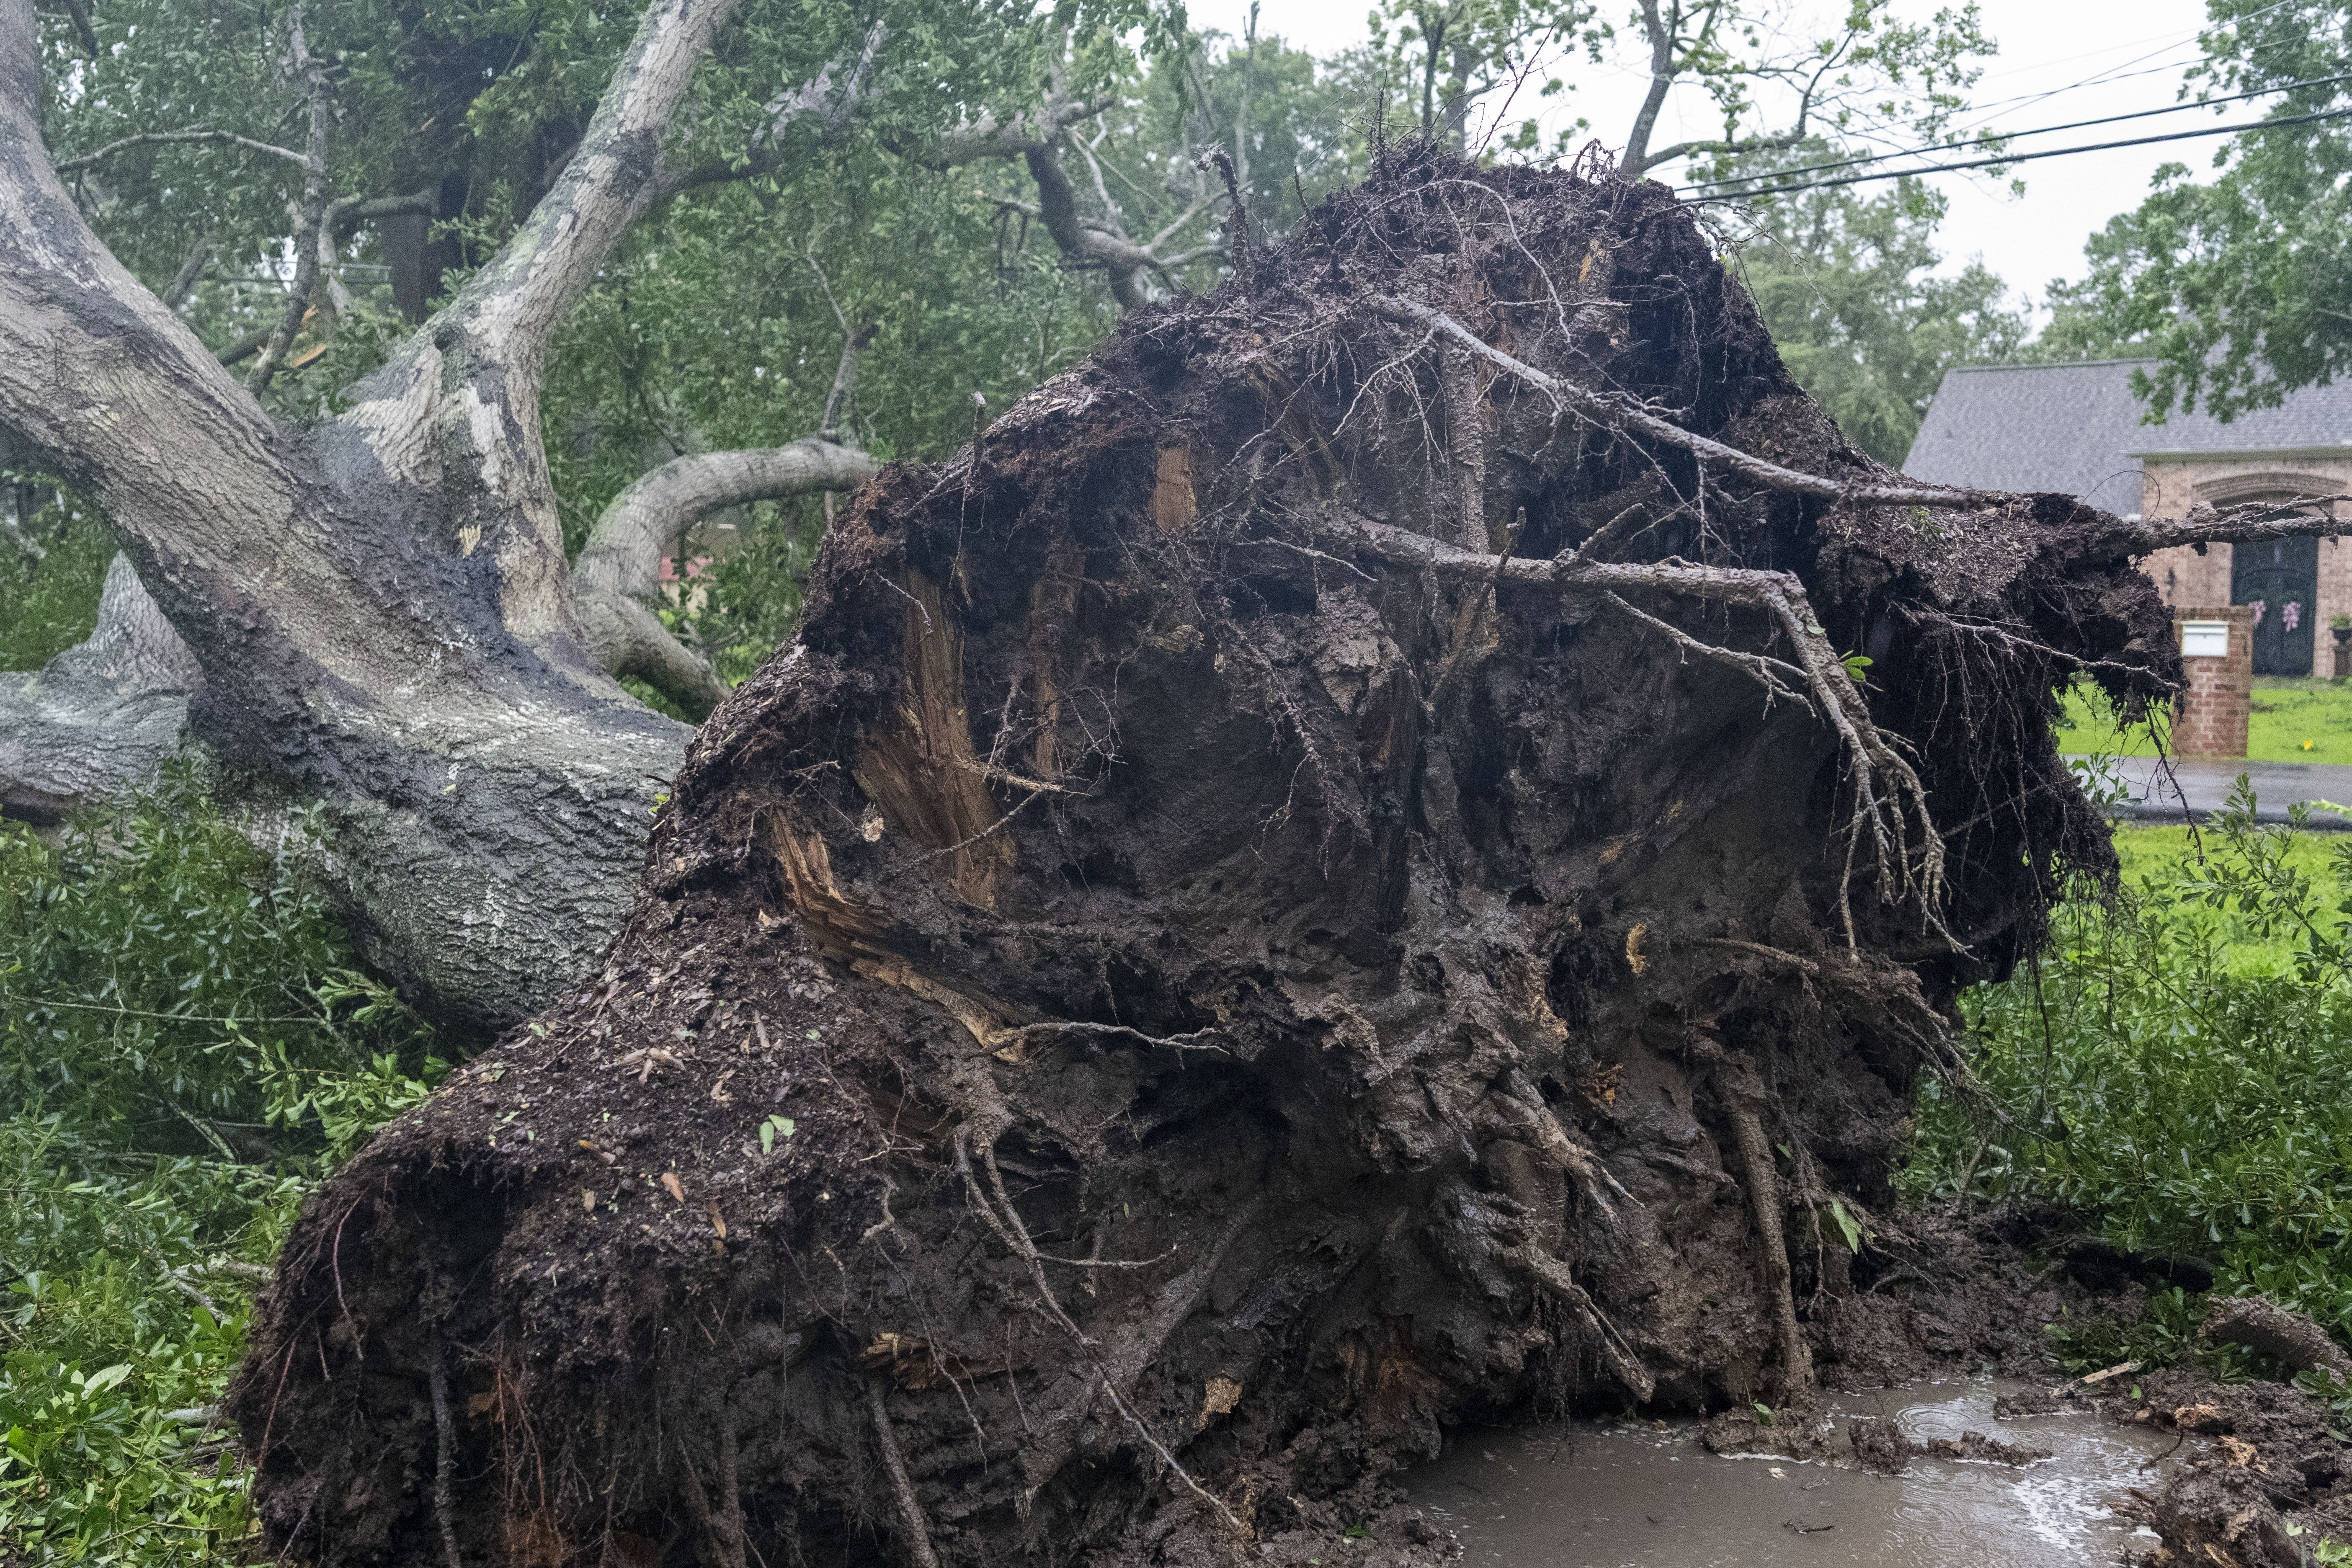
(1650, 1496)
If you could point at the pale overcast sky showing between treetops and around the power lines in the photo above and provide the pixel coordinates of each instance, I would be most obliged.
(2050, 48)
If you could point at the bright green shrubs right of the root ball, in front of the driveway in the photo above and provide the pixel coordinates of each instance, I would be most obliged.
(2170, 1085)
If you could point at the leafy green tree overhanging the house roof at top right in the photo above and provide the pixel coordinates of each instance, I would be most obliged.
(2243, 286)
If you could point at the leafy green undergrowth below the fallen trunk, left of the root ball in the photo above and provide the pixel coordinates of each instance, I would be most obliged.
(185, 1047)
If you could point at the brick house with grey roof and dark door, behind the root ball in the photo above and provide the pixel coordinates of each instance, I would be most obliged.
(2076, 429)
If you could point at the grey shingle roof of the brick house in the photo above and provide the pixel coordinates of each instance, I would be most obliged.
(2078, 429)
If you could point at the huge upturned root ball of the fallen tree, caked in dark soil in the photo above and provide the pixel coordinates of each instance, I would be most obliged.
(1234, 939)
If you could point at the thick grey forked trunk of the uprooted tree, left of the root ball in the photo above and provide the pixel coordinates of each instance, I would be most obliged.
(380, 603)
